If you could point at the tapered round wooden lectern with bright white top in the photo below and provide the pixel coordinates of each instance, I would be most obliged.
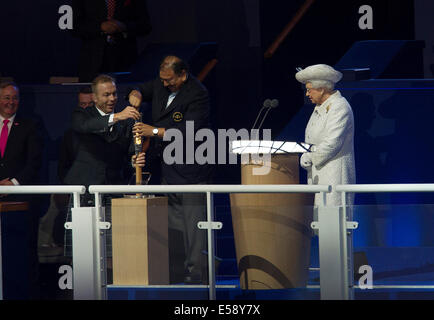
(272, 230)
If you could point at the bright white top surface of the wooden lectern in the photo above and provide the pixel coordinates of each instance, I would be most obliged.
(272, 147)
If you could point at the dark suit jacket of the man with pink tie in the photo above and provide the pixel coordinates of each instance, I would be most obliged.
(23, 155)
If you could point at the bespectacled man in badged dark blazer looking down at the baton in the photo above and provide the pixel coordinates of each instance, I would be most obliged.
(178, 97)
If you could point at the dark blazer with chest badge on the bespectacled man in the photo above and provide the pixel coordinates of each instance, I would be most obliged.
(190, 104)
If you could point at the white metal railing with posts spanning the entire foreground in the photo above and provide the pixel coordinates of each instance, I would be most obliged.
(333, 223)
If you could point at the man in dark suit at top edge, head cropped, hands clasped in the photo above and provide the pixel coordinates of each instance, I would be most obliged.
(108, 30)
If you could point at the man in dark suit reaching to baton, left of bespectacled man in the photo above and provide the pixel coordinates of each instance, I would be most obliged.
(104, 143)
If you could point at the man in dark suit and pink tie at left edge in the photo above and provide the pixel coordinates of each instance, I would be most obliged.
(21, 156)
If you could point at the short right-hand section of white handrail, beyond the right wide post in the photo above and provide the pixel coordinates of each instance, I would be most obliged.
(363, 188)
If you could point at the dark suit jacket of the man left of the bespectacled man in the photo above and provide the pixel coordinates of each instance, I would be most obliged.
(102, 154)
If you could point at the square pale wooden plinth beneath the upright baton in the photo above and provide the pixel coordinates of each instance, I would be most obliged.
(140, 241)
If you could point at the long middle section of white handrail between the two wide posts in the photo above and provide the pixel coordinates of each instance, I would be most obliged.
(272, 188)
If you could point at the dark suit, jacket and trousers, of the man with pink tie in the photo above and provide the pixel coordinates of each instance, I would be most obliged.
(22, 160)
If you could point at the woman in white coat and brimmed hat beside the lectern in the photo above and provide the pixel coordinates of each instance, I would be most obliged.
(331, 132)
